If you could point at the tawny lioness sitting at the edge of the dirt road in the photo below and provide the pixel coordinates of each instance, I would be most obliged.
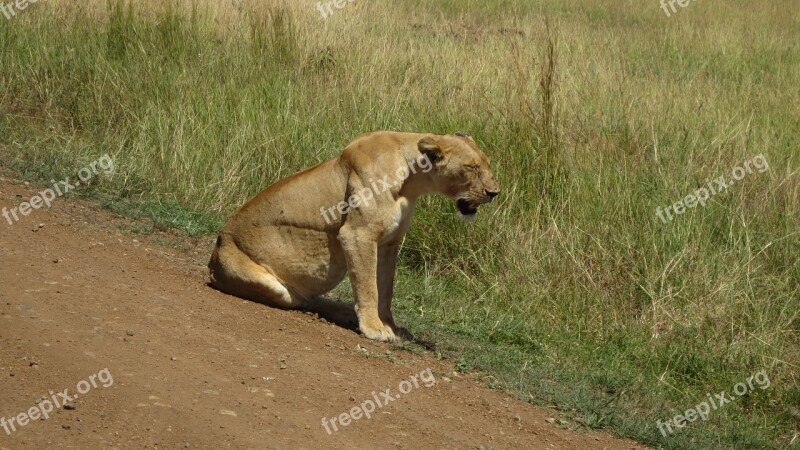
(296, 239)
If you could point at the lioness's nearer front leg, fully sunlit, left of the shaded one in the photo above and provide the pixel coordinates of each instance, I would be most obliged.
(361, 252)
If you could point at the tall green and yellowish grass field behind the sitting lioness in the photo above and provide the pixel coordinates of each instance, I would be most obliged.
(570, 291)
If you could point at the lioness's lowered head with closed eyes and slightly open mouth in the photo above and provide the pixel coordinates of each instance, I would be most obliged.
(460, 171)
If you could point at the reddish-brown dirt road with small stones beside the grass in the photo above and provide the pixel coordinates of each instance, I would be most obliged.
(153, 358)
